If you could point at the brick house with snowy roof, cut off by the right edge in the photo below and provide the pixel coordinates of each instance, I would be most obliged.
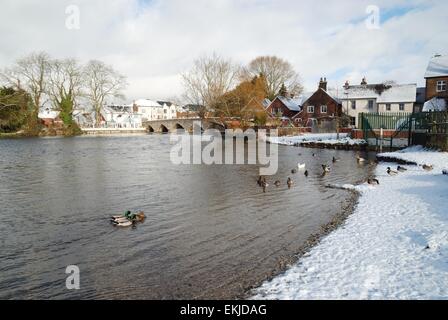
(437, 81)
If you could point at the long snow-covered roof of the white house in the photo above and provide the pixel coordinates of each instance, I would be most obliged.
(383, 93)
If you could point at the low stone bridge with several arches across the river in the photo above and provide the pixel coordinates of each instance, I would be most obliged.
(171, 125)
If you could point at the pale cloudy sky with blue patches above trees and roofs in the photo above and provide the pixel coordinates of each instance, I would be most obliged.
(153, 41)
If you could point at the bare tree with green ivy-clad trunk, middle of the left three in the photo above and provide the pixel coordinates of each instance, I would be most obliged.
(65, 83)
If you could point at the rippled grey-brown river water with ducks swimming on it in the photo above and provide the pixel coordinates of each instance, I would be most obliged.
(210, 231)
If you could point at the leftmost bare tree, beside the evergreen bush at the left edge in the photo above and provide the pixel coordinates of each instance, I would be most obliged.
(30, 74)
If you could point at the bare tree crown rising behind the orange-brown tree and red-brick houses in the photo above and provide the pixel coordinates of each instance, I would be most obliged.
(278, 72)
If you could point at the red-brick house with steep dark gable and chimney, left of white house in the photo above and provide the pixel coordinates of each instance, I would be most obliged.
(322, 105)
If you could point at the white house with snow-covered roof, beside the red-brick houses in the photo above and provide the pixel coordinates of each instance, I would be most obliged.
(382, 97)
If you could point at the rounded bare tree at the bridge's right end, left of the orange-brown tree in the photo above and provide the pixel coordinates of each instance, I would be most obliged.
(210, 78)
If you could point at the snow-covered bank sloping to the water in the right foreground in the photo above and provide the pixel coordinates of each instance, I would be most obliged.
(394, 246)
